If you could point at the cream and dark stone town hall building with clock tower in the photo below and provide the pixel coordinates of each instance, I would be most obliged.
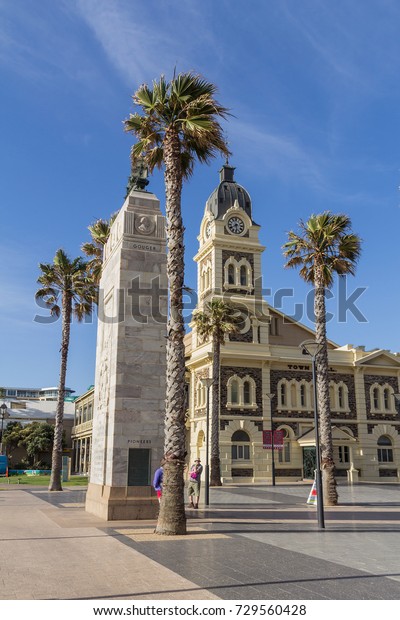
(269, 353)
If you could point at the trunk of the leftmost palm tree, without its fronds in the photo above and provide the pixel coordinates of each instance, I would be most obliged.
(56, 460)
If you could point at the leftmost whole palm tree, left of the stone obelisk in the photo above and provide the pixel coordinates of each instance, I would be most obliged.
(67, 290)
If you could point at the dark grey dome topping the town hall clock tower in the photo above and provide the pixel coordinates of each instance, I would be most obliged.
(226, 194)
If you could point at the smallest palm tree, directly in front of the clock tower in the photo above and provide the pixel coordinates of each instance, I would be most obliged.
(214, 322)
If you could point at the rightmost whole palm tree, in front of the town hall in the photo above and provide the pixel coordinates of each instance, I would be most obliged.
(325, 247)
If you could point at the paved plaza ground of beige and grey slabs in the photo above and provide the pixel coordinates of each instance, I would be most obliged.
(252, 543)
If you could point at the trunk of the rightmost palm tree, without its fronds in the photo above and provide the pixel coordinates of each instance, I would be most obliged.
(322, 367)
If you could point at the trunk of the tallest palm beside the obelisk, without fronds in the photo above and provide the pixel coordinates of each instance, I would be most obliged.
(172, 518)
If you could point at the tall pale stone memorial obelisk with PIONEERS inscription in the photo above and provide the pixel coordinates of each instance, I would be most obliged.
(129, 402)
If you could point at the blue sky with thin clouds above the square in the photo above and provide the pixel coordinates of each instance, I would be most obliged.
(314, 90)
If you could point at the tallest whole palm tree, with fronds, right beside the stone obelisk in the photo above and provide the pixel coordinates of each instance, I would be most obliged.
(178, 124)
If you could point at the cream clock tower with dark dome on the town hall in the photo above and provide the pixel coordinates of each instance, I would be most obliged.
(229, 256)
